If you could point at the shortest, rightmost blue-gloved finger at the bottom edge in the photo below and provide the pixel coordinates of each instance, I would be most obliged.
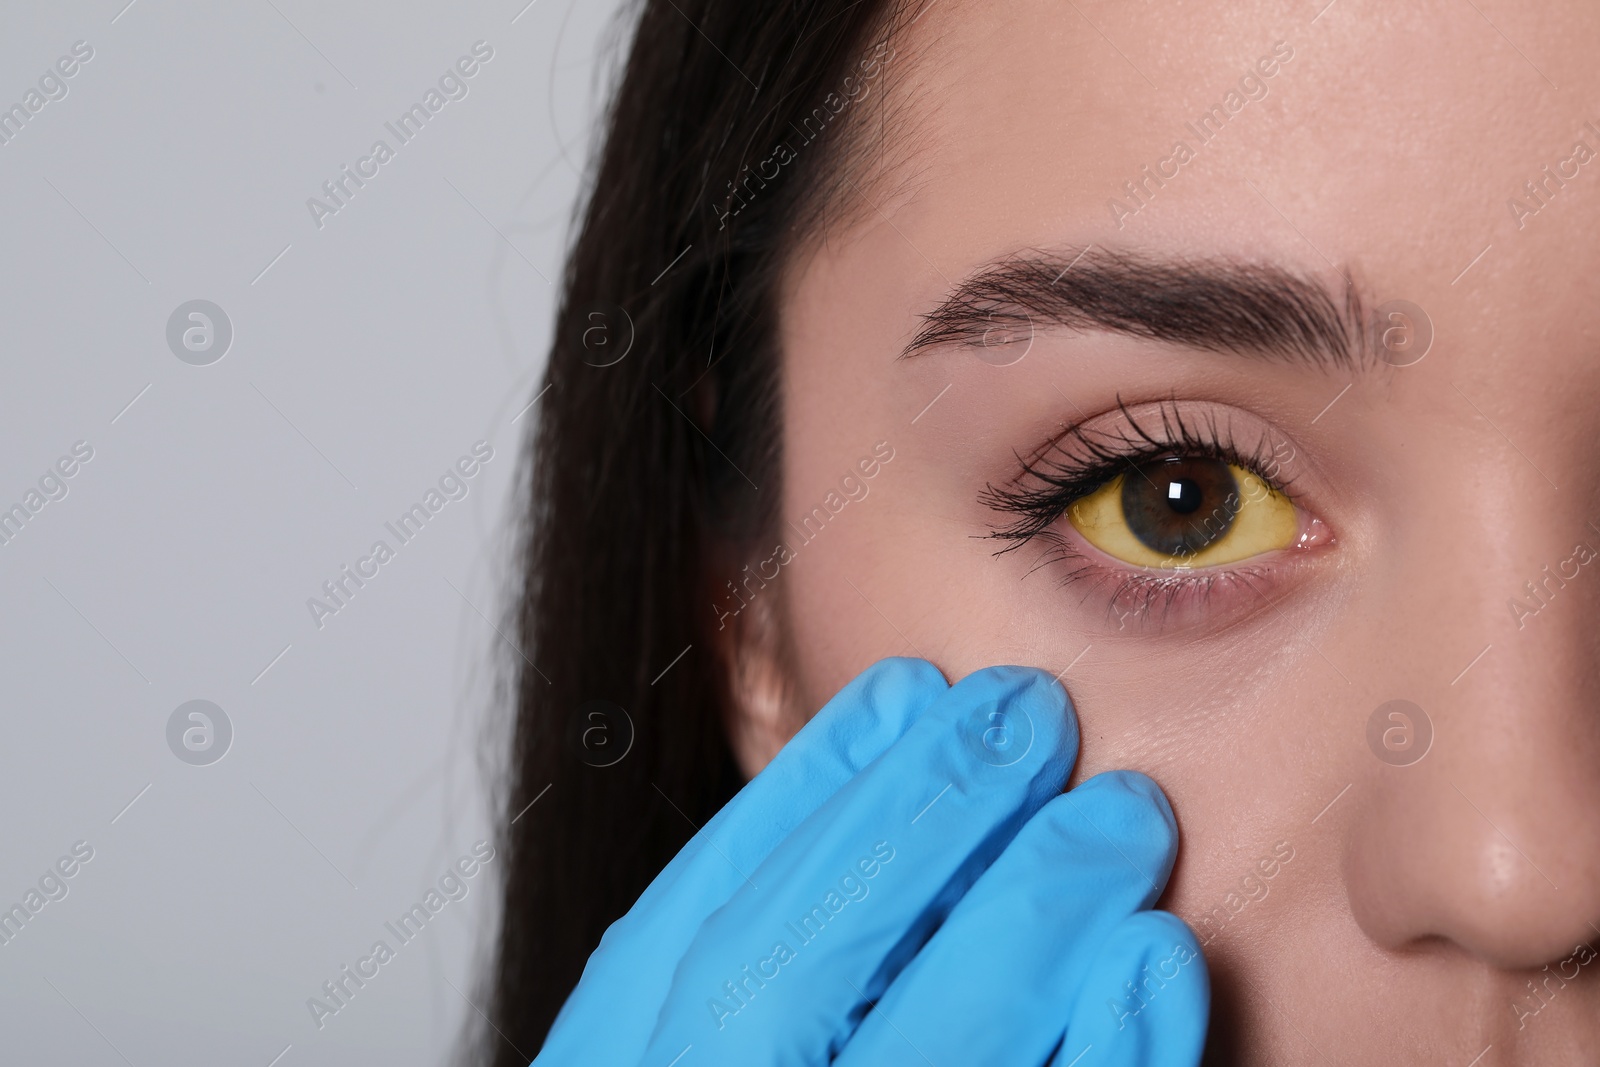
(1145, 1002)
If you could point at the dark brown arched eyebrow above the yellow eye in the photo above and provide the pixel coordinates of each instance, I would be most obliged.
(1209, 305)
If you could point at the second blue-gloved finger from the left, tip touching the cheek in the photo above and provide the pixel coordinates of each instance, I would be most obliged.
(785, 972)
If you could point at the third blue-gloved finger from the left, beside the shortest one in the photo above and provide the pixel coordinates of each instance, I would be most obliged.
(998, 980)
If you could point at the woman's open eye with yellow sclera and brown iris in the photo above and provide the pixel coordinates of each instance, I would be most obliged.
(1186, 513)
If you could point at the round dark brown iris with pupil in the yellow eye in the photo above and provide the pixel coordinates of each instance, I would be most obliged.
(1180, 506)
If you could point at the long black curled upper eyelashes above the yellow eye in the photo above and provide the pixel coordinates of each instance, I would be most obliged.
(1058, 478)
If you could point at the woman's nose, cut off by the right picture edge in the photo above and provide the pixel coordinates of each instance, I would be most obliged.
(1492, 839)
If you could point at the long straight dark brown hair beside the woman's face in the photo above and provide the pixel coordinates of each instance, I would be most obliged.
(724, 146)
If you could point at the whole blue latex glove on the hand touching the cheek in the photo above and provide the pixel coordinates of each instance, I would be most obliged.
(906, 884)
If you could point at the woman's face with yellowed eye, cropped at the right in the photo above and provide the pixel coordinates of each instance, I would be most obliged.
(1233, 170)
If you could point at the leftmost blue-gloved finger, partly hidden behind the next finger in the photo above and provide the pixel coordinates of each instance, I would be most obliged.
(639, 953)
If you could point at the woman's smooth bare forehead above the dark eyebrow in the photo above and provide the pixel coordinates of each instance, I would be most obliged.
(1394, 145)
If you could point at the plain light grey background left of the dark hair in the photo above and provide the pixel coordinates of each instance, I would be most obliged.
(367, 359)
